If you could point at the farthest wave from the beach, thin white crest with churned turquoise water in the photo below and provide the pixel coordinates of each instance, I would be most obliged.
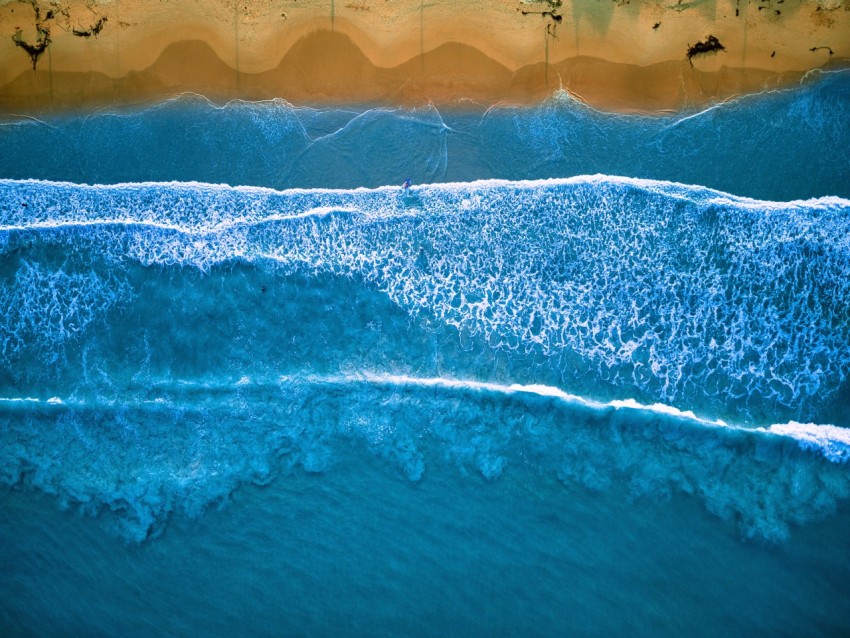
(190, 443)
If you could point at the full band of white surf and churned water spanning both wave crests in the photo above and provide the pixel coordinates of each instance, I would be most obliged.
(607, 331)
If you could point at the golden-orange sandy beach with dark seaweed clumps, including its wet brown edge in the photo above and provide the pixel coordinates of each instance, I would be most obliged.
(626, 56)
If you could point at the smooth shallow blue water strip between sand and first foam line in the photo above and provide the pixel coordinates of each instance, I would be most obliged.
(778, 145)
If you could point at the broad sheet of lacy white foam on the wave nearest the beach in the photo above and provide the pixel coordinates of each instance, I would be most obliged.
(673, 289)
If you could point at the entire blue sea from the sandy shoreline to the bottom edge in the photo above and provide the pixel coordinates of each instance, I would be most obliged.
(589, 376)
